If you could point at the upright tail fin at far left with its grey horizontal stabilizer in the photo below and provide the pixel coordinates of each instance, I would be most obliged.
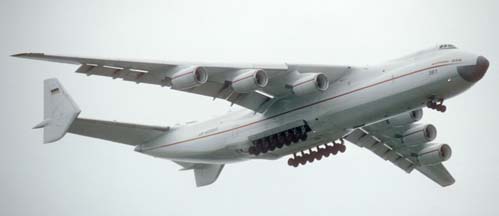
(60, 117)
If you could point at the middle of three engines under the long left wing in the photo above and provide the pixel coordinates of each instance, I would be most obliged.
(250, 80)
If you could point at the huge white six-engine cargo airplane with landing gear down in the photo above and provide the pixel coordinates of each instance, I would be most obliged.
(299, 110)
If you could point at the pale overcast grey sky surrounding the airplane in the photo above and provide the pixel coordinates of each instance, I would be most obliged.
(84, 176)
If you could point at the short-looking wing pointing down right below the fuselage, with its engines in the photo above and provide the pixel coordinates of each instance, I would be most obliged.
(407, 145)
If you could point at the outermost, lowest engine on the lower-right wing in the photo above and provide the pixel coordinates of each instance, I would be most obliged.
(434, 154)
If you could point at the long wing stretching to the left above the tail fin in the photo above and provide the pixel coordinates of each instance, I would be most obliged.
(229, 82)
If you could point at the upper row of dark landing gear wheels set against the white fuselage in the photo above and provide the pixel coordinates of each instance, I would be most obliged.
(279, 140)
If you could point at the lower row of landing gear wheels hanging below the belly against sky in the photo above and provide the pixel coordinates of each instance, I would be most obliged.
(303, 158)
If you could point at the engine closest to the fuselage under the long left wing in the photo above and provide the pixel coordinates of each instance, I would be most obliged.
(310, 83)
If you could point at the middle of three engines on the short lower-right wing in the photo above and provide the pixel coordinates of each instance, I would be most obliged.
(418, 134)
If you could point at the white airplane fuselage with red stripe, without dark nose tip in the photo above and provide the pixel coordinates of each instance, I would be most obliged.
(362, 97)
